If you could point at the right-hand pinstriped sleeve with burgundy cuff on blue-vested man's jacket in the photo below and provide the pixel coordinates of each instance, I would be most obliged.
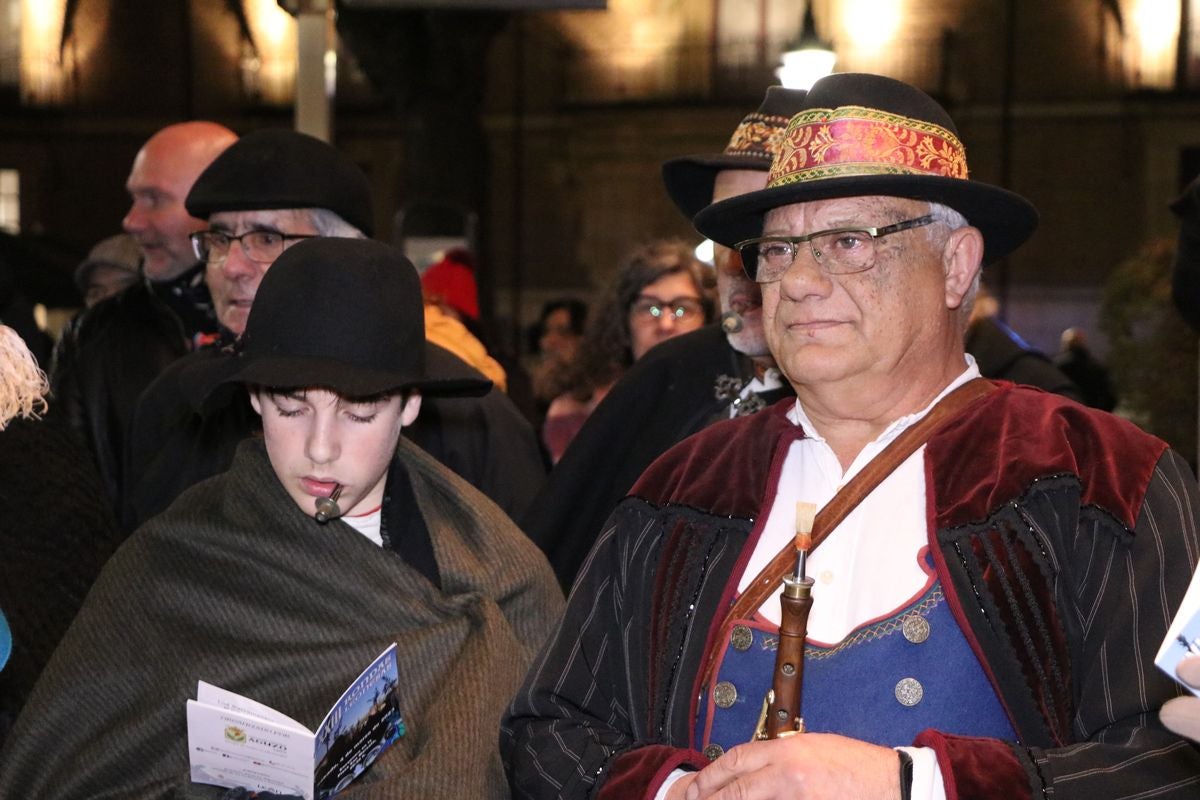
(1118, 597)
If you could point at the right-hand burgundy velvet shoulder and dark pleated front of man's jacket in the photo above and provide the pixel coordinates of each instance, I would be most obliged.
(1029, 437)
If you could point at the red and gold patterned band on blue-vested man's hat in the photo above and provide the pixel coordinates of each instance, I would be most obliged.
(854, 141)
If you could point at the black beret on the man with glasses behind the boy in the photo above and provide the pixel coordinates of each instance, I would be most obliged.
(284, 170)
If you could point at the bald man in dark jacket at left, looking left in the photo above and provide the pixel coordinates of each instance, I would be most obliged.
(115, 350)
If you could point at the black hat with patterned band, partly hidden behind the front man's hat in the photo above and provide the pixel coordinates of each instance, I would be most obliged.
(689, 179)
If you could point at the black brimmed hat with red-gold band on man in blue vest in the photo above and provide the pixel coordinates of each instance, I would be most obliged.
(863, 135)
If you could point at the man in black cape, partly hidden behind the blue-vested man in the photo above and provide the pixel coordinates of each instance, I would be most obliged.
(682, 386)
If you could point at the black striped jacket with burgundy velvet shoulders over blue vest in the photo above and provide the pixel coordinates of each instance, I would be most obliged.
(1065, 539)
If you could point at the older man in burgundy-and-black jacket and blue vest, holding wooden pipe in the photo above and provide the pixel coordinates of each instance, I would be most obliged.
(982, 622)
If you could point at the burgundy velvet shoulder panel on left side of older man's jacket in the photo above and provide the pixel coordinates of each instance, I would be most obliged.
(723, 470)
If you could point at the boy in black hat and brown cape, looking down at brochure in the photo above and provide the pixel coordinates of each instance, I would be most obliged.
(241, 585)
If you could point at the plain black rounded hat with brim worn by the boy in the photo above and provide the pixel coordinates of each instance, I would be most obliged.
(344, 315)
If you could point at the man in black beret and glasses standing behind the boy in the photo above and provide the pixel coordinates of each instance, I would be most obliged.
(266, 194)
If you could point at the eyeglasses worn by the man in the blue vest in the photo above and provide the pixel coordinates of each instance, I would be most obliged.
(841, 251)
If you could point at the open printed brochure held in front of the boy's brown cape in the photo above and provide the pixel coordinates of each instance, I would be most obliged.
(236, 742)
